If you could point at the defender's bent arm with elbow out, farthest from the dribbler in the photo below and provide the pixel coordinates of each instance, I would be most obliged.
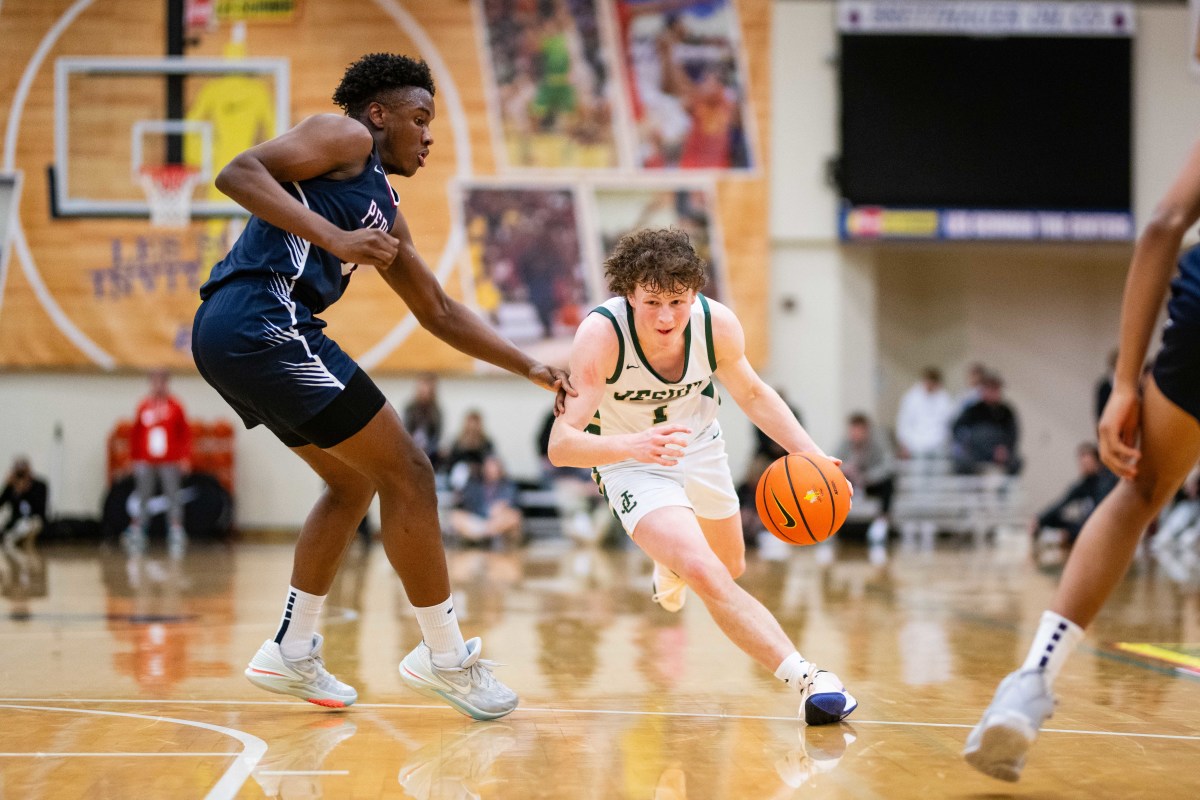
(325, 146)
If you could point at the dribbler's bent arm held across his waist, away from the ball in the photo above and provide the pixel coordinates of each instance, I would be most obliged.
(593, 359)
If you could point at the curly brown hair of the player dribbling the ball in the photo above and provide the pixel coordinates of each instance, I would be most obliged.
(659, 261)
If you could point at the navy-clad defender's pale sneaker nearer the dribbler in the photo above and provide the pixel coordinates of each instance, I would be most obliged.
(470, 688)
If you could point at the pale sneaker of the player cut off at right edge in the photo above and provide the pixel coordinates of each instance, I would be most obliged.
(999, 744)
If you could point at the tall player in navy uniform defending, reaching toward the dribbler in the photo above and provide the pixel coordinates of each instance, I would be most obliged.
(322, 207)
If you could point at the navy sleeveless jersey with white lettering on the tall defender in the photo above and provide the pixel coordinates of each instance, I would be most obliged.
(317, 278)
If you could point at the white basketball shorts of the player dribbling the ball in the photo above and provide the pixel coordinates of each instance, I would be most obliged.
(700, 482)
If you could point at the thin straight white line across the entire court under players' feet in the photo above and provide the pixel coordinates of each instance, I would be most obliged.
(704, 715)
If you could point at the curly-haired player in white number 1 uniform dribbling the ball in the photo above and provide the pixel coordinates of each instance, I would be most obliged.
(646, 419)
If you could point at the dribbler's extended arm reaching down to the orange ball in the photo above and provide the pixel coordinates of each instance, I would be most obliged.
(760, 402)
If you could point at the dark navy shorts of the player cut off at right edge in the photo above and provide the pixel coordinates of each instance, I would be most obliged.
(1178, 365)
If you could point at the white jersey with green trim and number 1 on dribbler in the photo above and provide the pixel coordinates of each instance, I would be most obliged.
(637, 398)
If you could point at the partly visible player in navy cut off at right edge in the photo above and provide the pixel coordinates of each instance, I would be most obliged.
(1150, 438)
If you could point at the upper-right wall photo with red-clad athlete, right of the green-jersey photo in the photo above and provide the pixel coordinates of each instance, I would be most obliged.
(687, 83)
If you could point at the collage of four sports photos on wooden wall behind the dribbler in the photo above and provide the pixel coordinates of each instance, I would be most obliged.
(607, 117)
